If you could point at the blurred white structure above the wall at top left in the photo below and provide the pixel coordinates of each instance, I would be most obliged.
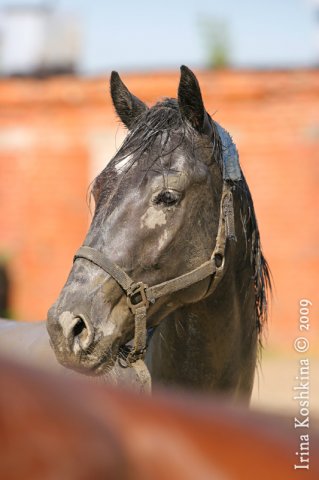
(38, 40)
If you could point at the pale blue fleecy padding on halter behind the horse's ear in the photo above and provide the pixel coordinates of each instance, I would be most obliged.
(231, 168)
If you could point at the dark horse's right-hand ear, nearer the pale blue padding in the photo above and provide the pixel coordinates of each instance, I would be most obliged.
(191, 103)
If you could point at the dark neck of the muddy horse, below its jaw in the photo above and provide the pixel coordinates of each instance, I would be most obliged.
(210, 345)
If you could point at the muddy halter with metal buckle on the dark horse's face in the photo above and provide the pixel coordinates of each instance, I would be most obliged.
(139, 295)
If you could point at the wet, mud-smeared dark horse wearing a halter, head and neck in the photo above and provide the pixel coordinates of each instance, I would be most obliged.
(174, 213)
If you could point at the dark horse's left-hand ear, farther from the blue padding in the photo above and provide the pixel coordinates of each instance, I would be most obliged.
(127, 106)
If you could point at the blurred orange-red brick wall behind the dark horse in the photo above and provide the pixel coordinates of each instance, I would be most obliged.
(54, 133)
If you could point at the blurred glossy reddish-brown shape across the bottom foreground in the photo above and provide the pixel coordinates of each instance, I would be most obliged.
(58, 428)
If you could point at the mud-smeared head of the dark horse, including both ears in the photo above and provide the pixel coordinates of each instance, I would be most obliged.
(158, 216)
